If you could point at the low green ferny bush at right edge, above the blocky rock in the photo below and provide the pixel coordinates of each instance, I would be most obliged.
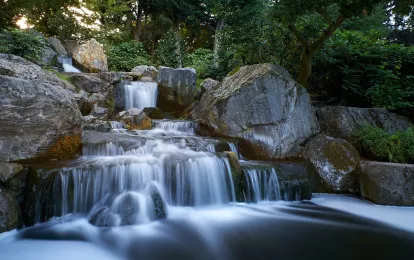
(375, 143)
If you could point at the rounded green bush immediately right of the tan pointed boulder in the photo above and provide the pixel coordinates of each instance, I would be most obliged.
(127, 55)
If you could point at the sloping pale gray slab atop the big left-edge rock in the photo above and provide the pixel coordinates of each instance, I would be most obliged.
(17, 67)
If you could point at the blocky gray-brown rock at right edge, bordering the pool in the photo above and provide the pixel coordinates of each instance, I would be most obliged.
(388, 183)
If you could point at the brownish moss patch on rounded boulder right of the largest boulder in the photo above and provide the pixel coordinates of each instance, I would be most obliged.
(337, 155)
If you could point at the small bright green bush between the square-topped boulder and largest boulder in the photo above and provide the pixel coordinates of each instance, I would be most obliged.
(201, 60)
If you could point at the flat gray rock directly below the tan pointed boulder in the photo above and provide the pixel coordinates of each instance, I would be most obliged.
(89, 82)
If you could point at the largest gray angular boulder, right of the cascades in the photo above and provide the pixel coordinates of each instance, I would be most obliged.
(270, 112)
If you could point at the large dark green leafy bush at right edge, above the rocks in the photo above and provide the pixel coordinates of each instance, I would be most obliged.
(370, 72)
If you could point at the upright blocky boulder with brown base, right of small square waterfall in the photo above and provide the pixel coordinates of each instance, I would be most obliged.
(177, 88)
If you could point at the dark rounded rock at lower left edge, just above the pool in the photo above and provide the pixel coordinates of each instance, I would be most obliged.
(10, 214)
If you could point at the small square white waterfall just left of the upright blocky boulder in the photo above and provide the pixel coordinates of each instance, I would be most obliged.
(141, 95)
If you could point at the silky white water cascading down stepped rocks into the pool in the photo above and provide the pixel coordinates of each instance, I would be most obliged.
(167, 193)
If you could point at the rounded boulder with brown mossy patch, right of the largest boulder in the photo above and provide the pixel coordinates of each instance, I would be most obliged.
(336, 161)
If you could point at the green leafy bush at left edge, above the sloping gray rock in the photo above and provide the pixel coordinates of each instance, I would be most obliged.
(26, 44)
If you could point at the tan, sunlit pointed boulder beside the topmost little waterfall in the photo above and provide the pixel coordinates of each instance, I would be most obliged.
(91, 56)
